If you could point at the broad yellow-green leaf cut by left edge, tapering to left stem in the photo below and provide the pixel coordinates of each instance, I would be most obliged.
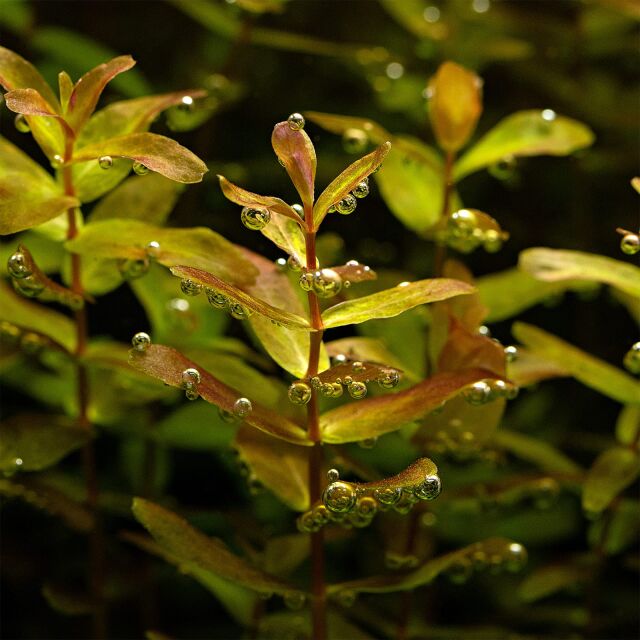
(28, 194)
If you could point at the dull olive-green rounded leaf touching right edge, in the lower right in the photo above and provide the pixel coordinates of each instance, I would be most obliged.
(612, 472)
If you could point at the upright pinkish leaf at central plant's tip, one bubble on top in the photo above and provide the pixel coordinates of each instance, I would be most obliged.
(295, 151)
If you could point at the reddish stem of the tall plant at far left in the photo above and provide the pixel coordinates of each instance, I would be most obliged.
(96, 537)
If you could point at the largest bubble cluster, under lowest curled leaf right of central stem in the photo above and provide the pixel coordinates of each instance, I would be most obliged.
(355, 505)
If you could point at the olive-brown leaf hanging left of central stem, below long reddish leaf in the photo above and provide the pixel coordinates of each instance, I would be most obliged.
(279, 466)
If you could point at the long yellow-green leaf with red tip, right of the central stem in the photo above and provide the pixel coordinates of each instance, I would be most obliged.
(375, 416)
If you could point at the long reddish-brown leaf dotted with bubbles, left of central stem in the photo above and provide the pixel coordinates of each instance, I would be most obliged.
(167, 365)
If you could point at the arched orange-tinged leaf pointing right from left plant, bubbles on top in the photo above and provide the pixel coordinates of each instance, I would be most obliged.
(157, 153)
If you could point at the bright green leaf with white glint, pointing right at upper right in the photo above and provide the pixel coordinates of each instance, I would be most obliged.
(525, 133)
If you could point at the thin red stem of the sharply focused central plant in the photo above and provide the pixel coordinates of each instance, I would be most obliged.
(319, 603)
